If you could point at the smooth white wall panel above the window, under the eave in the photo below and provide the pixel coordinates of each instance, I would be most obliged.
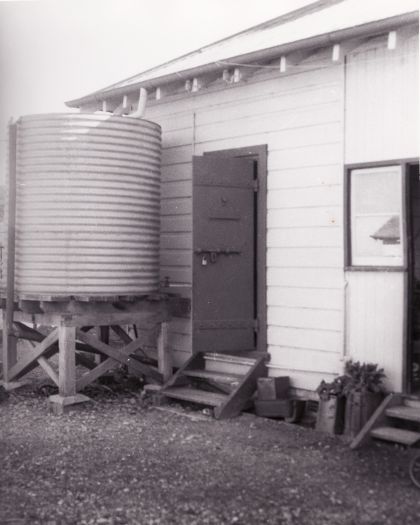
(382, 100)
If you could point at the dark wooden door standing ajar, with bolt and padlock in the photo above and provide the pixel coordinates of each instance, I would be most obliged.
(223, 254)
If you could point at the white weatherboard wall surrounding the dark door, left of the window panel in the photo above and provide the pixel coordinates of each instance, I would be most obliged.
(300, 118)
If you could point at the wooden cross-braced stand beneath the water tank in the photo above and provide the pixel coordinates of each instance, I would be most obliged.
(72, 336)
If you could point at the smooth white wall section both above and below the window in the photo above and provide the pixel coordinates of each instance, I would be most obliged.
(381, 124)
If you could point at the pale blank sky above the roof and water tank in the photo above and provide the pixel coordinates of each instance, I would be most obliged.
(53, 51)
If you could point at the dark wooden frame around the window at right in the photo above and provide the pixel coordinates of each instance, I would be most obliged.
(348, 168)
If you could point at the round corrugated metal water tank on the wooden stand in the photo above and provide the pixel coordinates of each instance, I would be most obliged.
(88, 205)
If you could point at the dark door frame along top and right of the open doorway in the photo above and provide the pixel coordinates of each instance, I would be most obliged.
(259, 154)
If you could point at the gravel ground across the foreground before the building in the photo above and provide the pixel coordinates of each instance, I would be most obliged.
(120, 460)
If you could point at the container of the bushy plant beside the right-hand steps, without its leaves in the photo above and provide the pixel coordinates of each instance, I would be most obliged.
(359, 407)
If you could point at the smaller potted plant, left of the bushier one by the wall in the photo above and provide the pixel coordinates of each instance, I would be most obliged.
(330, 416)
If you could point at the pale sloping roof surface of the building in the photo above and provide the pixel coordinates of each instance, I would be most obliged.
(321, 18)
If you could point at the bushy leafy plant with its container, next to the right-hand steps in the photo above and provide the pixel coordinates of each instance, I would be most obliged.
(364, 392)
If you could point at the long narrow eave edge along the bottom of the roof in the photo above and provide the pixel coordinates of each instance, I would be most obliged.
(317, 41)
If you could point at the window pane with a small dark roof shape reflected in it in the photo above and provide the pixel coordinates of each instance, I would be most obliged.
(376, 216)
